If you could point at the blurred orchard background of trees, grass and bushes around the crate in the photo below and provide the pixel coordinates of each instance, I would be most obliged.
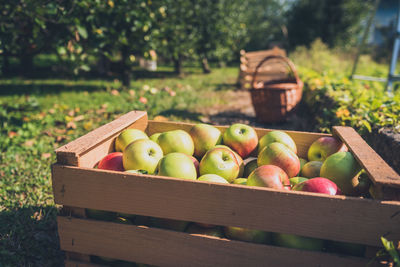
(67, 67)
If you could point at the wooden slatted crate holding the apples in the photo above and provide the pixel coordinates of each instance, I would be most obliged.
(77, 185)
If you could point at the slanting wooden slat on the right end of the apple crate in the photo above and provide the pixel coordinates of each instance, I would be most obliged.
(379, 171)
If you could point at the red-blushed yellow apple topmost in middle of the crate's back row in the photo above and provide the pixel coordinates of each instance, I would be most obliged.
(241, 138)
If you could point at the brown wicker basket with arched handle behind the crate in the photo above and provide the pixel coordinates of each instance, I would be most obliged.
(274, 100)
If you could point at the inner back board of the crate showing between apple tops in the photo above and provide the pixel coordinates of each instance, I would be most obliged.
(302, 139)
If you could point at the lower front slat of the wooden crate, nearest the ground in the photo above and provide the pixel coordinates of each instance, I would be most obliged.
(168, 248)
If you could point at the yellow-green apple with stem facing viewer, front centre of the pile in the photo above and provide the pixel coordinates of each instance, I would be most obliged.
(220, 161)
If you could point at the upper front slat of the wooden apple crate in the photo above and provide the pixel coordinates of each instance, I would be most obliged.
(340, 218)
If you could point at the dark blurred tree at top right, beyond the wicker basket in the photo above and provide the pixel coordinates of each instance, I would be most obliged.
(336, 22)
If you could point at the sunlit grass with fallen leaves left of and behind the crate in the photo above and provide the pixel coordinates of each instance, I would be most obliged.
(37, 116)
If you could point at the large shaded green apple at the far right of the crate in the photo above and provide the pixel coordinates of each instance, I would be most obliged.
(341, 167)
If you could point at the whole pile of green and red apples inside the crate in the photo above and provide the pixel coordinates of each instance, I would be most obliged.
(237, 156)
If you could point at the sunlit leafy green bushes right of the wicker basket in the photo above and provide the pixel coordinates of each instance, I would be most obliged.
(335, 100)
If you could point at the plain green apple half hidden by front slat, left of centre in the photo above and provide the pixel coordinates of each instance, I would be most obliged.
(177, 165)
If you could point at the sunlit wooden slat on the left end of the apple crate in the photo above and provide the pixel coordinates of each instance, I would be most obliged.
(96, 144)
